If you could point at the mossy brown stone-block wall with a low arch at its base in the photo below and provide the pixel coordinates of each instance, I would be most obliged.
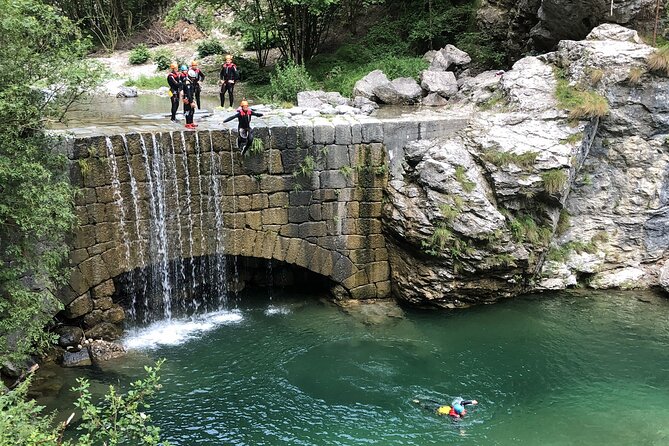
(154, 200)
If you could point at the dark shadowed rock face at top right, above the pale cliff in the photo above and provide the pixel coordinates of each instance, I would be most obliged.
(538, 25)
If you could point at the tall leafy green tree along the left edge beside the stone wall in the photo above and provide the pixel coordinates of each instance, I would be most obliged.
(46, 74)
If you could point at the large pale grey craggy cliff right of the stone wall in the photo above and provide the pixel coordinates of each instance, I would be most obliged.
(474, 218)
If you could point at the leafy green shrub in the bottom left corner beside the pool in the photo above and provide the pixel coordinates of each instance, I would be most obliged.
(117, 420)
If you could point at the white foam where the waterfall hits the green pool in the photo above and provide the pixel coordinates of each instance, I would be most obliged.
(176, 331)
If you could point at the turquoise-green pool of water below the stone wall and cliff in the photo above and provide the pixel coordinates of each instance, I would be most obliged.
(571, 369)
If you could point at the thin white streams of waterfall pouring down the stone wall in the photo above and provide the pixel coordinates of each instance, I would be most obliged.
(179, 271)
